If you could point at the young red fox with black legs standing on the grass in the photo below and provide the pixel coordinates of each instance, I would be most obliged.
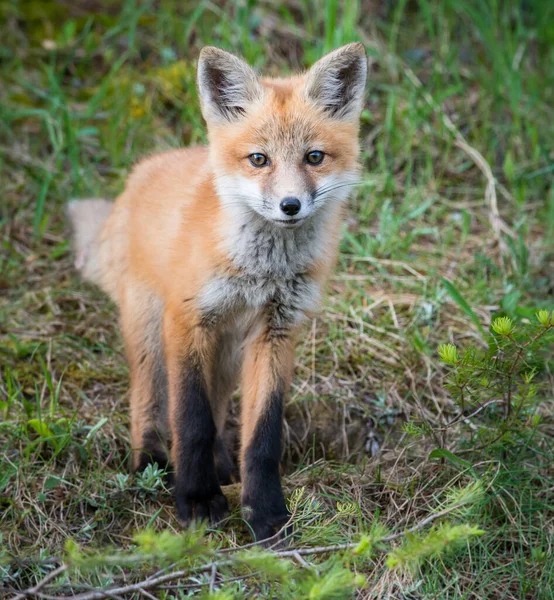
(215, 256)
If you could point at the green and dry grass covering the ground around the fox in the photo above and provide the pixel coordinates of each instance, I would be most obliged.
(457, 90)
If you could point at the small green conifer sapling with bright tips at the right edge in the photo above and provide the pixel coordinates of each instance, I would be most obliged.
(498, 383)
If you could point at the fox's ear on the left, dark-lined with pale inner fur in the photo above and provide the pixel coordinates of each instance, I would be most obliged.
(227, 86)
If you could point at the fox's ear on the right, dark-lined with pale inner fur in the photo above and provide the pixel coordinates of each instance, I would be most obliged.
(337, 82)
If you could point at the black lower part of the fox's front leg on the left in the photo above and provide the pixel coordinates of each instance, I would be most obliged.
(197, 491)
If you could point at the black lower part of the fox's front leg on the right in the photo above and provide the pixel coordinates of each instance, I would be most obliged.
(262, 496)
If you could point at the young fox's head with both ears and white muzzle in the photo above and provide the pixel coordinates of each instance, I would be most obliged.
(287, 148)
